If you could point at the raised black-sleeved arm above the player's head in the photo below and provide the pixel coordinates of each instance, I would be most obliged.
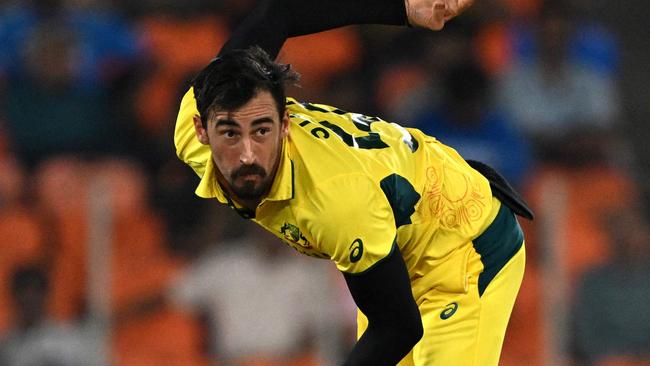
(273, 21)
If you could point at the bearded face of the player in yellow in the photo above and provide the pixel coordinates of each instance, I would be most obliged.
(246, 144)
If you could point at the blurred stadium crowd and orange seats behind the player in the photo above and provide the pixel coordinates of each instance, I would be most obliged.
(108, 258)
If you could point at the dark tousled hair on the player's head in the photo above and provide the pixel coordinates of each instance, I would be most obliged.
(235, 77)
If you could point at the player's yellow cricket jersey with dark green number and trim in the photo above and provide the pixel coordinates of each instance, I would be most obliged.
(350, 186)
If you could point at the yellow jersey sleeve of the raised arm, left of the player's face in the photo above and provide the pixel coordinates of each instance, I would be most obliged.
(188, 147)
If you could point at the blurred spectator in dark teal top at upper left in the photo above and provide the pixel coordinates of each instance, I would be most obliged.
(69, 119)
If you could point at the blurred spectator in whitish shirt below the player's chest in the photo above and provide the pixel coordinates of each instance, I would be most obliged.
(292, 322)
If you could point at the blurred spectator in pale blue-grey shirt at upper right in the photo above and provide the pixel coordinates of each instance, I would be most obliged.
(551, 94)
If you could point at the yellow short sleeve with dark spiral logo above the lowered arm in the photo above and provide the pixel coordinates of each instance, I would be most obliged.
(351, 221)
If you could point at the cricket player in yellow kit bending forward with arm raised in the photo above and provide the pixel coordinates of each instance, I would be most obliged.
(427, 242)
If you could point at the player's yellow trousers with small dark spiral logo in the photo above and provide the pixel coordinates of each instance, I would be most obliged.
(474, 333)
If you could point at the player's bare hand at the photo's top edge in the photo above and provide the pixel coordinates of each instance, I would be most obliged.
(433, 14)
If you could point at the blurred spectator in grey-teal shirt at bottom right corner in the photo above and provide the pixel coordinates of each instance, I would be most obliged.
(612, 322)
